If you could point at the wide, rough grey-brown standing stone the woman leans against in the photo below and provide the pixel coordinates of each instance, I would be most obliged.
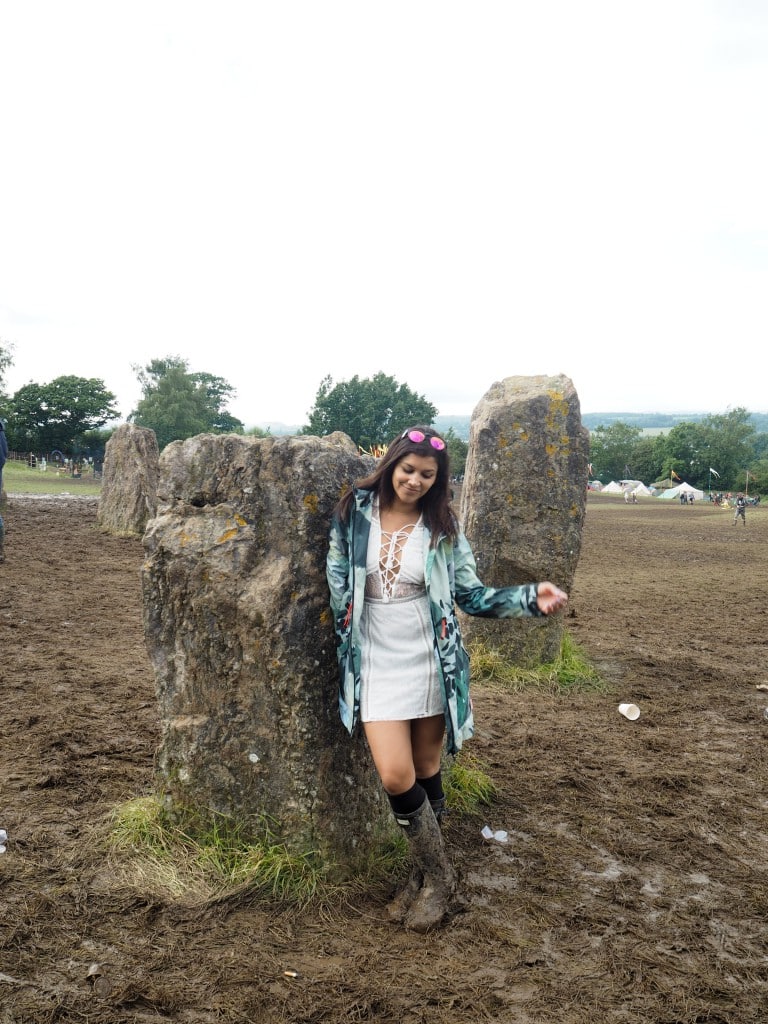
(240, 635)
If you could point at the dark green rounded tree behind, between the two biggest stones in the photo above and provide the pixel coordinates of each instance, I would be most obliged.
(370, 411)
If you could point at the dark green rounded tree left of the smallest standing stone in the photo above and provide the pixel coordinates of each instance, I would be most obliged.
(50, 417)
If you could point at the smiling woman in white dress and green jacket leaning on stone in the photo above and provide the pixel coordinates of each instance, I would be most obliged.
(398, 566)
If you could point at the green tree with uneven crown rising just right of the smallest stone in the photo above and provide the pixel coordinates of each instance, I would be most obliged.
(178, 404)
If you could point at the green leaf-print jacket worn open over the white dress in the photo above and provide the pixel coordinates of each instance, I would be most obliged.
(451, 577)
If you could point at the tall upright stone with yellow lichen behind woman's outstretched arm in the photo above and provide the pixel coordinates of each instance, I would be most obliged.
(524, 502)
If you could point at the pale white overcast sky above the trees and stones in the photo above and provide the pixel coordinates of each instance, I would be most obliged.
(448, 193)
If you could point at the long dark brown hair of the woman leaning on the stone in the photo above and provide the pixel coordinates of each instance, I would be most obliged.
(436, 505)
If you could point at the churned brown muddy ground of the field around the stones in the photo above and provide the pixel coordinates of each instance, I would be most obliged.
(633, 889)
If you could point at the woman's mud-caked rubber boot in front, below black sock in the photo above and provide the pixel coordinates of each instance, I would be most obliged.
(434, 901)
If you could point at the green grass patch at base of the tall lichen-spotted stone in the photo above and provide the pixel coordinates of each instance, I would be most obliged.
(572, 671)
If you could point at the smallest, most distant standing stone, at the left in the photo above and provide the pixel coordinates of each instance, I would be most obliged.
(130, 482)
